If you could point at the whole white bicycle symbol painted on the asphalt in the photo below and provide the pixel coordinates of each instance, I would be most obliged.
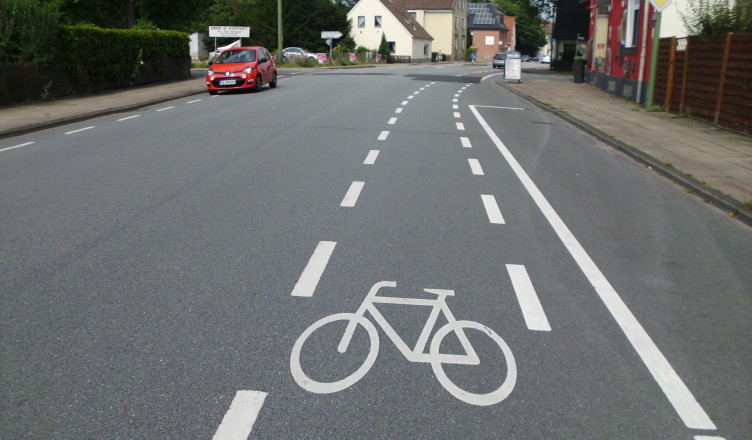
(434, 357)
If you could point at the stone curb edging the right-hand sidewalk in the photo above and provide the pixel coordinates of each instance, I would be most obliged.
(730, 205)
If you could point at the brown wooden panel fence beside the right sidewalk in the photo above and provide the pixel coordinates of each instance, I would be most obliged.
(708, 78)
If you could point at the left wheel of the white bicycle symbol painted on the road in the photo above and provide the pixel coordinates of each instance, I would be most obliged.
(313, 386)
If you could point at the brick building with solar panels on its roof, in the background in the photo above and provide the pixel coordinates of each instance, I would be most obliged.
(489, 33)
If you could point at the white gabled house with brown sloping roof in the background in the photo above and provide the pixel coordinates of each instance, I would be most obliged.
(371, 19)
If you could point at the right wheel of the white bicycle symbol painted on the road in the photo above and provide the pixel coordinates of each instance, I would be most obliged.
(487, 399)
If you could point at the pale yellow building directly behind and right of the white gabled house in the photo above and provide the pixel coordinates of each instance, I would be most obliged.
(445, 20)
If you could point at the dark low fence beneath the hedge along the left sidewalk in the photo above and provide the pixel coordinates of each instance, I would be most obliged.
(25, 82)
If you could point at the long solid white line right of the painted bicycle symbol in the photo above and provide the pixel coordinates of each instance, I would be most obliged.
(673, 387)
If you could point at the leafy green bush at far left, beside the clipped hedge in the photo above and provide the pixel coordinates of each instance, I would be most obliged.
(28, 31)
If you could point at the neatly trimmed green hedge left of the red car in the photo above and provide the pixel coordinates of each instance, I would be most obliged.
(94, 56)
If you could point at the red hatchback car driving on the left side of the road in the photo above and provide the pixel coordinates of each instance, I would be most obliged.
(241, 68)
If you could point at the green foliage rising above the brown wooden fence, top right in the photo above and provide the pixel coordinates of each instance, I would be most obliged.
(718, 17)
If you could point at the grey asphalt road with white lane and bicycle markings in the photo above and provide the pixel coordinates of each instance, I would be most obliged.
(163, 273)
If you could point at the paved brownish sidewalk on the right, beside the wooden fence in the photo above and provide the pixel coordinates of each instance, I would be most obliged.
(714, 163)
